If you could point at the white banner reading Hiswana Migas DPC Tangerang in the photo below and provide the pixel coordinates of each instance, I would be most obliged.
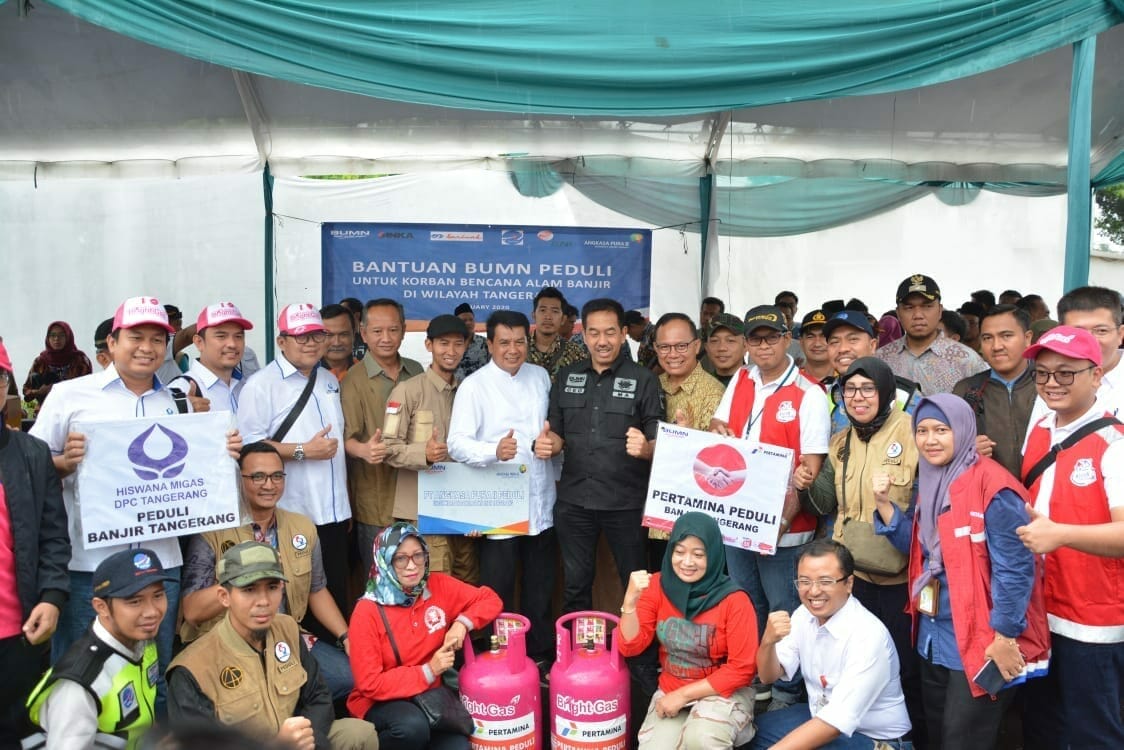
(155, 478)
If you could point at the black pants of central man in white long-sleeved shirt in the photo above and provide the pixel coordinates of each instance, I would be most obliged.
(500, 559)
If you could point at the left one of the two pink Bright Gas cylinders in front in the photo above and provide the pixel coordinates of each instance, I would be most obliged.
(501, 690)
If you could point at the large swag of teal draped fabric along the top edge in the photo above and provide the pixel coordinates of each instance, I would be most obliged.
(613, 59)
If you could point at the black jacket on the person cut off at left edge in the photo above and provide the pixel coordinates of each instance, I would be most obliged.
(39, 520)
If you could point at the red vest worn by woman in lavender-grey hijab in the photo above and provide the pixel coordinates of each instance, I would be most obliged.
(968, 567)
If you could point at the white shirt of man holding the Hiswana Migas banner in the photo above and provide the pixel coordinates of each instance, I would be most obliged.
(102, 396)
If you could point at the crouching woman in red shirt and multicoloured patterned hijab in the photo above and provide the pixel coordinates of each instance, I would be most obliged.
(429, 617)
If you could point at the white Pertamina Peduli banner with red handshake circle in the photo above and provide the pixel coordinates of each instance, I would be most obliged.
(740, 484)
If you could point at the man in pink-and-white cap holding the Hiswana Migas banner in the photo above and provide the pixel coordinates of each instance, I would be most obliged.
(128, 388)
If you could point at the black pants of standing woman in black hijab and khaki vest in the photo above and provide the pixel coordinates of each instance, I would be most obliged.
(889, 604)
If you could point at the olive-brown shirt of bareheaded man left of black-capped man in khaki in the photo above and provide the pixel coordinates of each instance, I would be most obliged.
(364, 394)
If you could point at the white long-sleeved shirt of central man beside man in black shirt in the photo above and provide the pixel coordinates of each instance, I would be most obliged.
(490, 403)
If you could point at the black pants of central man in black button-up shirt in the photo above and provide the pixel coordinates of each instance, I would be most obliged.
(578, 530)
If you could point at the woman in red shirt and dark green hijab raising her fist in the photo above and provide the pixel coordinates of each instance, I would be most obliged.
(709, 644)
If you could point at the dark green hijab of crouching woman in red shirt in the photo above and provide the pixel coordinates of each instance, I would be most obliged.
(715, 585)
